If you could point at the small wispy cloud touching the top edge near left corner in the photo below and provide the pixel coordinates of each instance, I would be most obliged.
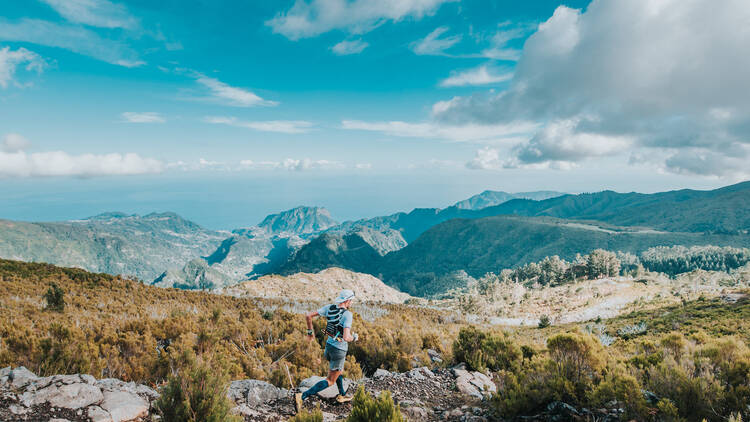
(99, 13)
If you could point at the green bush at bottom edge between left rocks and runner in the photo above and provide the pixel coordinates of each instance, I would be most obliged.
(196, 394)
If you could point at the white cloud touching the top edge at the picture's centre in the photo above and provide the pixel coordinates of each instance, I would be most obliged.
(309, 18)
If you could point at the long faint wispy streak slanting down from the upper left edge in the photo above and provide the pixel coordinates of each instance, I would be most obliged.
(74, 38)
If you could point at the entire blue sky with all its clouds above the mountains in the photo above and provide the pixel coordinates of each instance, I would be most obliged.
(226, 111)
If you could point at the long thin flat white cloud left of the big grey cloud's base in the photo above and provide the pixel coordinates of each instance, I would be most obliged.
(432, 130)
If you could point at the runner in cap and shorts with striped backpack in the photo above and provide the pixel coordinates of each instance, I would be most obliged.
(338, 331)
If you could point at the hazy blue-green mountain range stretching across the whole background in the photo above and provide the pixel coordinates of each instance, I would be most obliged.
(413, 251)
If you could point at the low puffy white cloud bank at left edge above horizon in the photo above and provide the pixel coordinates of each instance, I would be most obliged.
(16, 162)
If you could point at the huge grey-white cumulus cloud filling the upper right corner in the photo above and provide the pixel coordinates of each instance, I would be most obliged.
(636, 70)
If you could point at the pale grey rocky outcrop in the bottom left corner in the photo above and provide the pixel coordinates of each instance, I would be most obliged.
(24, 396)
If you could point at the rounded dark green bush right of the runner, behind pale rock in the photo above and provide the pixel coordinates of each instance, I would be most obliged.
(481, 350)
